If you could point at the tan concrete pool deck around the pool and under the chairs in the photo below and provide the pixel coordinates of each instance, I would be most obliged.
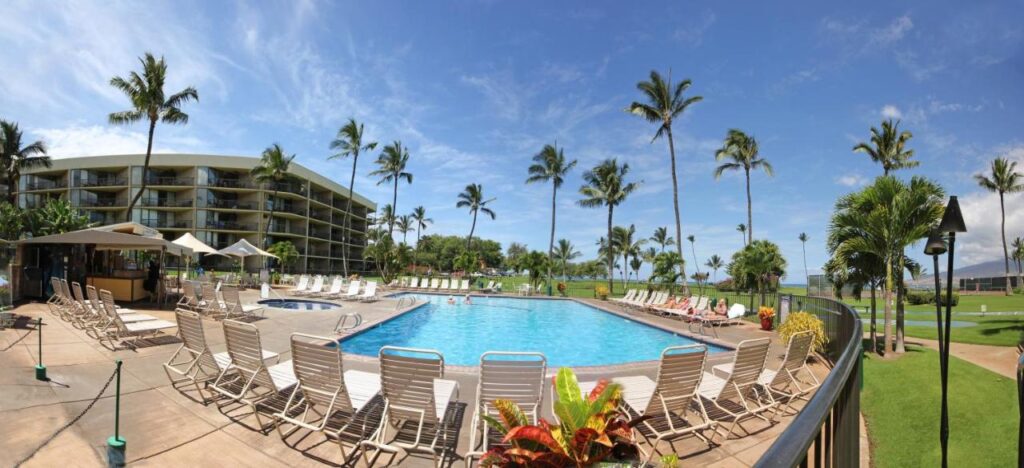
(167, 428)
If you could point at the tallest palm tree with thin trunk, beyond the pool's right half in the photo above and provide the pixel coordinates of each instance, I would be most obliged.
(664, 104)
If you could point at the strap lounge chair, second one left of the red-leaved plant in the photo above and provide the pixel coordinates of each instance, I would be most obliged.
(416, 398)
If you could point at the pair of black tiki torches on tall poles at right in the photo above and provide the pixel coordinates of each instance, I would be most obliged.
(953, 223)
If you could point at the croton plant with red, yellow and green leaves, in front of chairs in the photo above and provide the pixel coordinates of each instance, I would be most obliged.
(591, 430)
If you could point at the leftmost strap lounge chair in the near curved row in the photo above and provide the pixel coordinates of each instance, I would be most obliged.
(194, 362)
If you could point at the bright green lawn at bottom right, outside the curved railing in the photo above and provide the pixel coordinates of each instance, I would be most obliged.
(901, 403)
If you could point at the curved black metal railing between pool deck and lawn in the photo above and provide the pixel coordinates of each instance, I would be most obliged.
(827, 433)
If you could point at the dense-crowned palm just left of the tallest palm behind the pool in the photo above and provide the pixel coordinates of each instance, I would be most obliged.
(606, 186)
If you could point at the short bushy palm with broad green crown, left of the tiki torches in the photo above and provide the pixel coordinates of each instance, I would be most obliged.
(883, 220)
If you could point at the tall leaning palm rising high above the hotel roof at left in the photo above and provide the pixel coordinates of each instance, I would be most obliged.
(149, 102)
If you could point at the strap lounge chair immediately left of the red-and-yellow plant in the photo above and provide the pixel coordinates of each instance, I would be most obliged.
(519, 377)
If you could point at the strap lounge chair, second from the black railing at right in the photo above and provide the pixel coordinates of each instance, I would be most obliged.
(739, 396)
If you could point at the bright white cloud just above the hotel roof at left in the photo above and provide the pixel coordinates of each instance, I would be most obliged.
(96, 141)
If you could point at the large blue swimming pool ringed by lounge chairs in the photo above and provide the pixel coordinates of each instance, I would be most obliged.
(567, 332)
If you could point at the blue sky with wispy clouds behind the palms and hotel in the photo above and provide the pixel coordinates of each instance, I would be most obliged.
(476, 89)
